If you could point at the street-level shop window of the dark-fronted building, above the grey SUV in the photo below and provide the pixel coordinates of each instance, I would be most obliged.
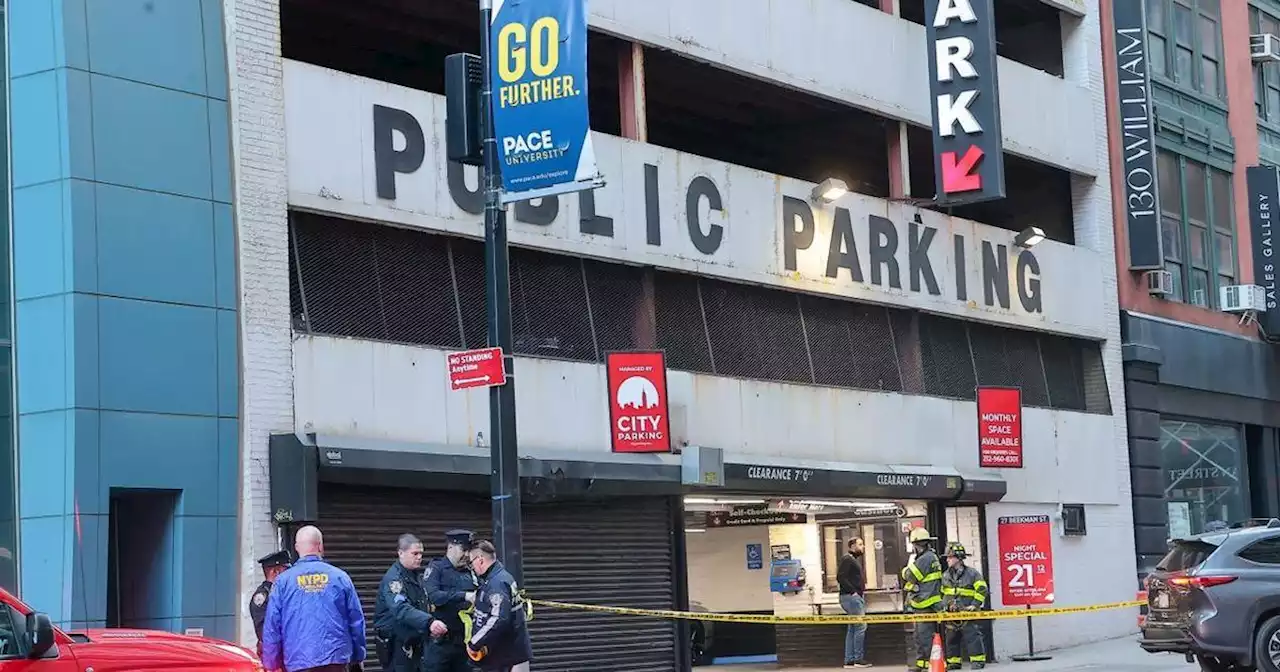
(1203, 469)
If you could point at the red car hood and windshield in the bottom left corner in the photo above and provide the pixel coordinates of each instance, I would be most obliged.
(30, 643)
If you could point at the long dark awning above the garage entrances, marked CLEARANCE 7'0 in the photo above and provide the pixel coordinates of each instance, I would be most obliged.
(300, 463)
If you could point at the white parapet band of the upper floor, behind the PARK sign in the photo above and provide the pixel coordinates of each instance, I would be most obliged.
(836, 49)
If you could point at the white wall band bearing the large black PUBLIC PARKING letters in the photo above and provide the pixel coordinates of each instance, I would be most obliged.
(332, 170)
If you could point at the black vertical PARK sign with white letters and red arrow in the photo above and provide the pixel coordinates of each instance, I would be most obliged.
(968, 157)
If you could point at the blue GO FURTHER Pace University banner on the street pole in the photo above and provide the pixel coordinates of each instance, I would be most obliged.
(541, 115)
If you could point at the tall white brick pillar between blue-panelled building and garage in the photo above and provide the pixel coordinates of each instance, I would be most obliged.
(257, 84)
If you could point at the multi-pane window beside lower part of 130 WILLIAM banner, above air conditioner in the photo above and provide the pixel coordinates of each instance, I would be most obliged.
(1197, 228)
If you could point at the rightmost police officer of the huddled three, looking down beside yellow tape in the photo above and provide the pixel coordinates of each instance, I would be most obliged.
(500, 638)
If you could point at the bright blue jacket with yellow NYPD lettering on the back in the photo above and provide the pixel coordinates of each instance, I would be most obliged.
(313, 619)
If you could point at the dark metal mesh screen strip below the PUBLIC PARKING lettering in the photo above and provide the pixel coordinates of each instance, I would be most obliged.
(365, 281)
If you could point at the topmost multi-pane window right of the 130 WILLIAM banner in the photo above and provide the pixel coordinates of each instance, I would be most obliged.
(1186, 43)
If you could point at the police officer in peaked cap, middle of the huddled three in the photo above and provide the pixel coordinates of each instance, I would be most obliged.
(451, 588)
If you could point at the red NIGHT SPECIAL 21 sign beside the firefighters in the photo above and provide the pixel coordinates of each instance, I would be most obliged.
(1026, 560)
